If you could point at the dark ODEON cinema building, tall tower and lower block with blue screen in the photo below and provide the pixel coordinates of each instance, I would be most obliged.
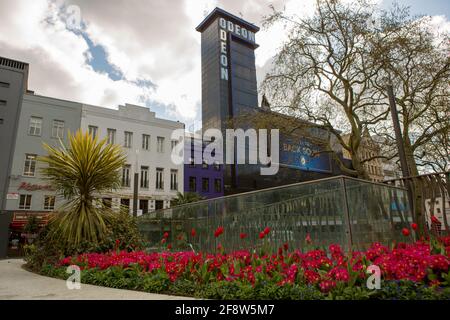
(230, 100)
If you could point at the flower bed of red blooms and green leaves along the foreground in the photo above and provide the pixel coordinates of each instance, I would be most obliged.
(408, 271)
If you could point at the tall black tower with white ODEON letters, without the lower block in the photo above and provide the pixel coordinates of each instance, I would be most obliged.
(228, 75)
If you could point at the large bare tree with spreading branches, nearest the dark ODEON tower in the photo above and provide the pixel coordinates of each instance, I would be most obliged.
(325, 74)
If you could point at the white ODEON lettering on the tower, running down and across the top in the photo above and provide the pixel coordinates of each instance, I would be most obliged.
(226, 27)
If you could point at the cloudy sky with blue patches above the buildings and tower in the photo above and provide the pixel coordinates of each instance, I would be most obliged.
(144, 52)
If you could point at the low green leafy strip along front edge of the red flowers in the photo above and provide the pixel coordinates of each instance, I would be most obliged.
(134, 278)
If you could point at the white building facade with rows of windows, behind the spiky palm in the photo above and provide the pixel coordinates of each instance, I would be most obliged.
(148, 145)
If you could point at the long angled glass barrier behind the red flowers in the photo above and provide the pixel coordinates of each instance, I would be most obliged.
(349, 212)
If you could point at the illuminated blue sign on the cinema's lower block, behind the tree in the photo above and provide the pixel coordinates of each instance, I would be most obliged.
(304, 155)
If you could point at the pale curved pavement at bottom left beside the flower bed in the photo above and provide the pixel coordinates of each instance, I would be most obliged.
(17, 283)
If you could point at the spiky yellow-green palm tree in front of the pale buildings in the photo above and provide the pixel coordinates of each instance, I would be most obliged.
(79, 172)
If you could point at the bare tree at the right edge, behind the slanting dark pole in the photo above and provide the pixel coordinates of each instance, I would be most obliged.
(417, 62)
